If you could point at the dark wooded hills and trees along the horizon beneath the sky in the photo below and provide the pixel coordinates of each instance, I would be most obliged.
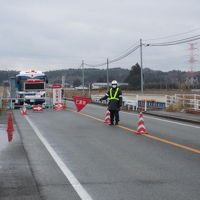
(153, 79)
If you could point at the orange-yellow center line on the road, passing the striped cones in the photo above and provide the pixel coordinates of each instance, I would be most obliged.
(146, 135)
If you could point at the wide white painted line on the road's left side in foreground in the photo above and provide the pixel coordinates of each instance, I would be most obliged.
(83, 194)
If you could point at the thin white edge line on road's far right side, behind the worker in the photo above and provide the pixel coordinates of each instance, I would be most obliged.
(164, 120)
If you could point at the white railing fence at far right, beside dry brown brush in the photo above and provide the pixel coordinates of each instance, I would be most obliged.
(187, 101)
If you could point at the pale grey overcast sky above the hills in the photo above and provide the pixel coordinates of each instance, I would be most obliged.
(58, 34)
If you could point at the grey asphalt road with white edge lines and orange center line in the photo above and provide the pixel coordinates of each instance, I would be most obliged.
(76, 156)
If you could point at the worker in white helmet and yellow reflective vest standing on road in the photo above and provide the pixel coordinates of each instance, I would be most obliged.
(115, 102)
